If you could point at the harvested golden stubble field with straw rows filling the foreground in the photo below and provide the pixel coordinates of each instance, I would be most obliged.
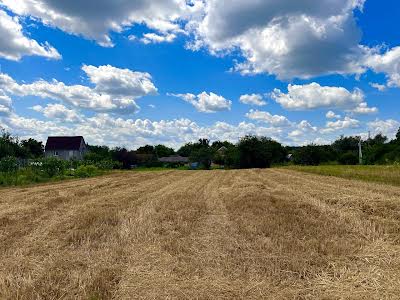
(254, 234)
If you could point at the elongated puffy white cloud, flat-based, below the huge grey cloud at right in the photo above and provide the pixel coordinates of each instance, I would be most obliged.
(313, 96)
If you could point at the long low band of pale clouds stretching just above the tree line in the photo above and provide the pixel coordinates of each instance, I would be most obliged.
(133, 133)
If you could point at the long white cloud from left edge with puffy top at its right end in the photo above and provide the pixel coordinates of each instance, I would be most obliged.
(116, 90)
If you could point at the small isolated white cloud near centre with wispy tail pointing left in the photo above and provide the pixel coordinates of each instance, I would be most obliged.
(207, 103)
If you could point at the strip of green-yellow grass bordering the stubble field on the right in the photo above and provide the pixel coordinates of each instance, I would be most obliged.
(381, 174)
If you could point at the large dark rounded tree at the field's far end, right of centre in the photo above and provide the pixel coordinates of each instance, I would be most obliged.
(259, 152)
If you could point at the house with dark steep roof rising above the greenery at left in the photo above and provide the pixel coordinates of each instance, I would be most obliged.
(66, 147)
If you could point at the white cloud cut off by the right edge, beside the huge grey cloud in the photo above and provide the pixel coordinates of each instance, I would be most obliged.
(387, 63)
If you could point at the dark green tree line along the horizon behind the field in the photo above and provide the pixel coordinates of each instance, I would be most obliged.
(248, 152)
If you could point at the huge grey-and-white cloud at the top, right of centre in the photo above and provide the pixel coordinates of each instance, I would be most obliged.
(286, 38)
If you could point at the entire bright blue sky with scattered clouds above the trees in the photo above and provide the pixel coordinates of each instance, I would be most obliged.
(135, 72)
